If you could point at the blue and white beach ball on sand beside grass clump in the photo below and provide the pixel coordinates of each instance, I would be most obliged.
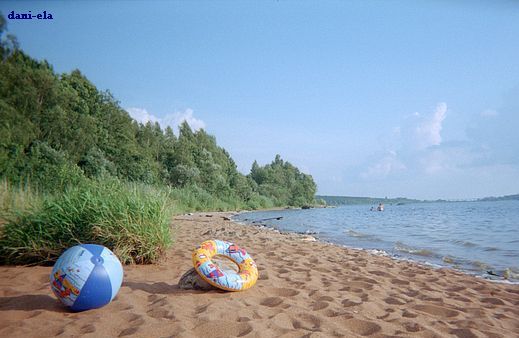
(86, 276)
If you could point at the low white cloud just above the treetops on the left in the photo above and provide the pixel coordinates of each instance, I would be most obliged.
(172, 120)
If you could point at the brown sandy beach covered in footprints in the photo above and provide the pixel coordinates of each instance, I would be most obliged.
(305, 289)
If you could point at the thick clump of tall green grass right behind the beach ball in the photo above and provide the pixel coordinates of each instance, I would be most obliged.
(130, 220)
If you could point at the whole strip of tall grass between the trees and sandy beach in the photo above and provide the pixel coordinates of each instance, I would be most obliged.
(132, 219)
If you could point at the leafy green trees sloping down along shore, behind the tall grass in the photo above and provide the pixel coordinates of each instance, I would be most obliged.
(57, 129)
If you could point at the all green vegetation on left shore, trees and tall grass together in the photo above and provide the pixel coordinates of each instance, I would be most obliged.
(75, 168)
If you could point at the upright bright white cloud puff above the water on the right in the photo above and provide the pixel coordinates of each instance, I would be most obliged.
(428, 131)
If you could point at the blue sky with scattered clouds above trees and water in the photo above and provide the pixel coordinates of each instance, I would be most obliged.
(372, 98)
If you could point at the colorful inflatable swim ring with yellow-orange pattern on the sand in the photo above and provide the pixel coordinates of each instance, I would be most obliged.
(246, 276)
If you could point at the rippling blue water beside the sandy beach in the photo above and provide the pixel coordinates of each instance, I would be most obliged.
(475, 237)
